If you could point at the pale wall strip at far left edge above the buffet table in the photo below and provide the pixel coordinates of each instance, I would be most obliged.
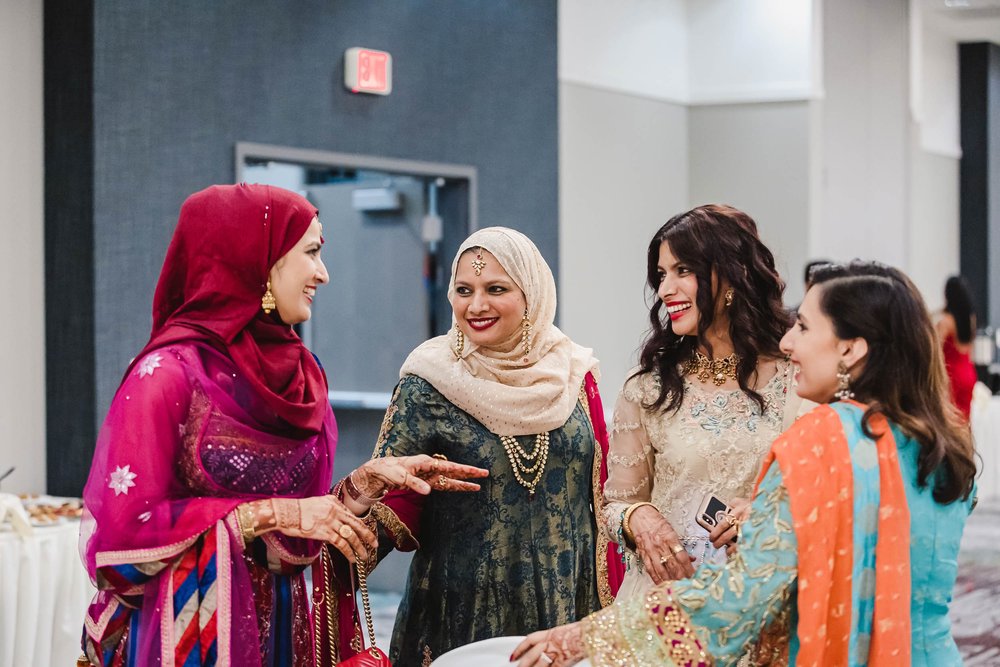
(22, 276)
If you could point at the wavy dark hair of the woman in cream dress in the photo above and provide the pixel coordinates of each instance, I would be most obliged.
(717, 241)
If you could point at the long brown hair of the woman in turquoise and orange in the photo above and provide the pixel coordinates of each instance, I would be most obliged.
(903, 376)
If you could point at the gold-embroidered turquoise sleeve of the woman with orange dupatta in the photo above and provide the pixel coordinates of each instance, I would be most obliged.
(718, 613)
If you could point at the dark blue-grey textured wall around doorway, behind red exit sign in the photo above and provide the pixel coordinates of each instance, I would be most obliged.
(176, 85)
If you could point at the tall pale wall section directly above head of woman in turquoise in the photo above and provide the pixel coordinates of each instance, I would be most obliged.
(865, 130)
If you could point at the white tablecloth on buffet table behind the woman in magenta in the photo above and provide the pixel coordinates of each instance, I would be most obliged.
(44, 593)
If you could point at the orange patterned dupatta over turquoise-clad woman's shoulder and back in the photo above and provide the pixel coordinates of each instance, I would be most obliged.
(816, 468)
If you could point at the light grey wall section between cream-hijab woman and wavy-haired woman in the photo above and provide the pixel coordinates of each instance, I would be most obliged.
(623, 172)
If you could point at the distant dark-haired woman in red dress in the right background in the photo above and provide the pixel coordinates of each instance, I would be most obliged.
(956, 328)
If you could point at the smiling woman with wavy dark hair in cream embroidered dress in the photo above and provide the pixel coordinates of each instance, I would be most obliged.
(696, 417)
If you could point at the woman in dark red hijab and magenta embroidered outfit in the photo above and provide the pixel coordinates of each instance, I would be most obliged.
(210, 489)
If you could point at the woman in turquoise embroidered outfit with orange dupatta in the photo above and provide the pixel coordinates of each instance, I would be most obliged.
(849, 554)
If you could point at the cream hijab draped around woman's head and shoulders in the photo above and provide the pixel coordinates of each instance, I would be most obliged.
(509, 392)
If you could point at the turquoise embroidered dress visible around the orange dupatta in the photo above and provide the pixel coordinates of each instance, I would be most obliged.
(729, 604)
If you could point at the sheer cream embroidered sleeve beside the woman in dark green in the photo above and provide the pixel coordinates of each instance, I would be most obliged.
(630, 461)
